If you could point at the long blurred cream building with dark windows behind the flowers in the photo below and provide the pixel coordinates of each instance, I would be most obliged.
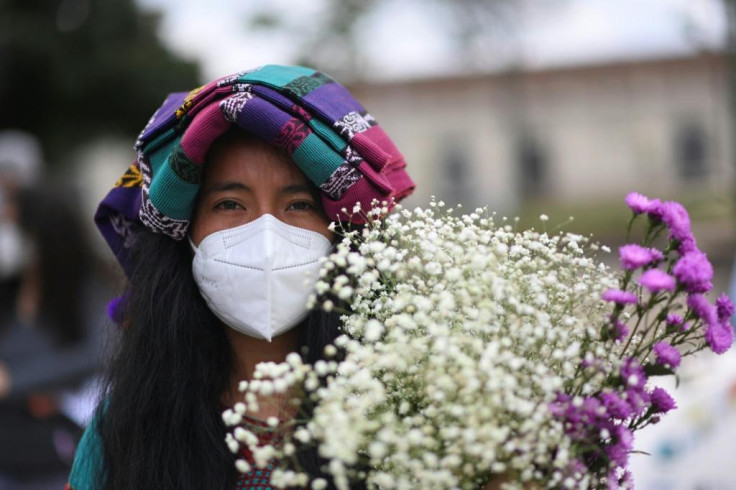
(568, 134)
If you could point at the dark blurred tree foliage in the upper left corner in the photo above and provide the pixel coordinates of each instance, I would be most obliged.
(71, 70)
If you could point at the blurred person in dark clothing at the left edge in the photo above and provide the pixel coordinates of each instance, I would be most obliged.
(46, 351)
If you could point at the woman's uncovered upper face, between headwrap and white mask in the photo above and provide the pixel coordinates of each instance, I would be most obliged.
(246, 178)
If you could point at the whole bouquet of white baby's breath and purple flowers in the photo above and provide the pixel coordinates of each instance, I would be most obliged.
(476, 353)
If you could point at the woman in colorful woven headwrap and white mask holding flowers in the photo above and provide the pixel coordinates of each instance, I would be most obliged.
(215, 225)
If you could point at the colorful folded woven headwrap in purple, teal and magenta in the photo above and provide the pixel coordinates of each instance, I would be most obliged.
(329, 135)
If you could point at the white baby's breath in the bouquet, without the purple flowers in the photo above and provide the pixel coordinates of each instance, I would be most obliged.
(459, 335)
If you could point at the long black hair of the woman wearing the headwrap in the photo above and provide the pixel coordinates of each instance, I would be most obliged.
(160, 423)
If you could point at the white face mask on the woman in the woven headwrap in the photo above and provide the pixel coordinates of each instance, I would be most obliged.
(257, 277)
